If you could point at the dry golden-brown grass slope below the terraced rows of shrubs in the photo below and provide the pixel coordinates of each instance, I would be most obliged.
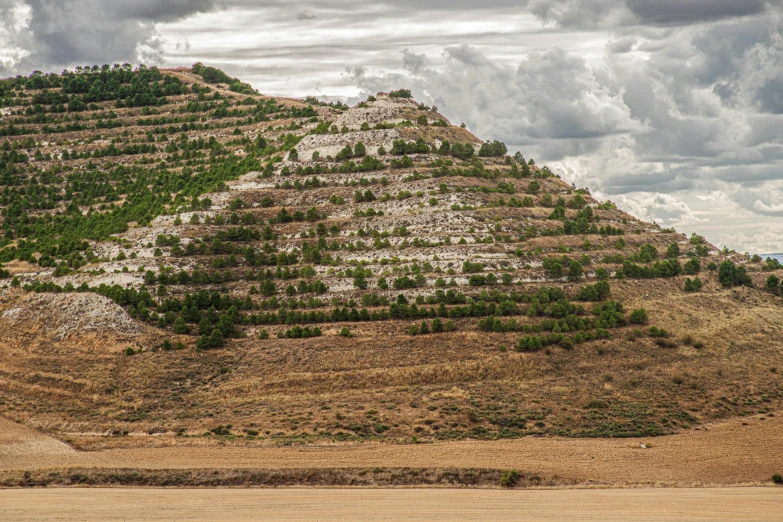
(450, 385)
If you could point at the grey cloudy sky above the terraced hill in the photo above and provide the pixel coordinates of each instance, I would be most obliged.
(671, 108)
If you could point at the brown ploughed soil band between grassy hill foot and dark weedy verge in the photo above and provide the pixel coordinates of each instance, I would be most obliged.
(731, 453)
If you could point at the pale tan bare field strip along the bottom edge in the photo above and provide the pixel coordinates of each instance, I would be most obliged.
(735, 504)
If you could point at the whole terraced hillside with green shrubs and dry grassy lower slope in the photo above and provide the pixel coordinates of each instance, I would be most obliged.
(189, 262)
